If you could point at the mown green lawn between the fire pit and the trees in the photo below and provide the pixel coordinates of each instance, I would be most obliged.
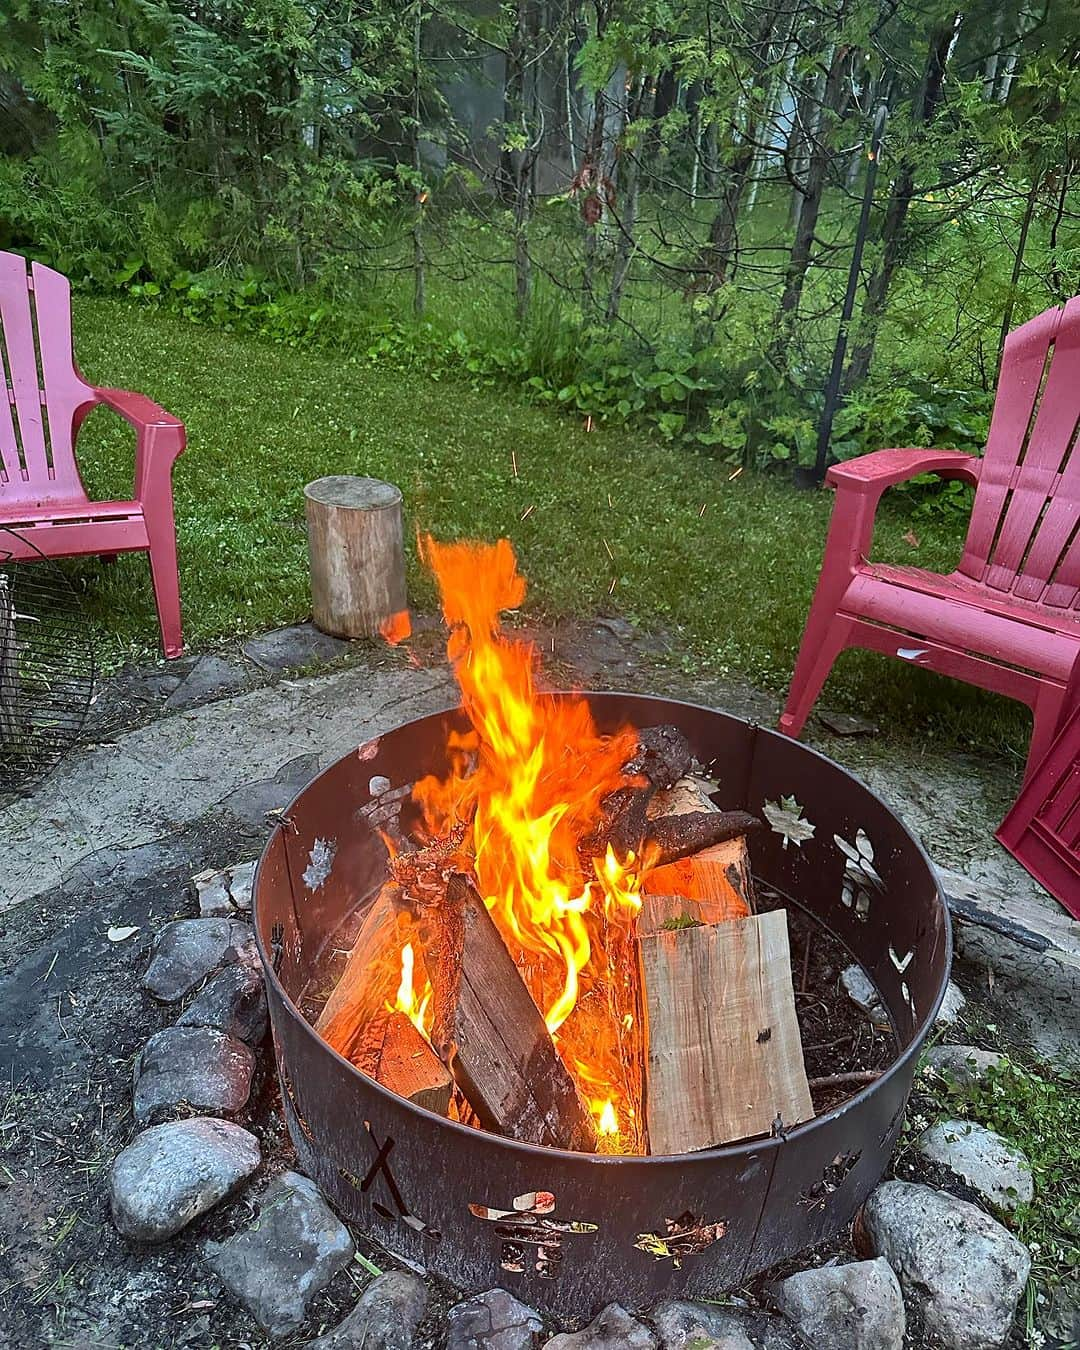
(728, 565)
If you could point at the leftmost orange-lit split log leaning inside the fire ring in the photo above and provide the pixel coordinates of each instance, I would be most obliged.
(371, 977)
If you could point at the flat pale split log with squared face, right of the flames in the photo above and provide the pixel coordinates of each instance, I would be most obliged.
(724, 1059)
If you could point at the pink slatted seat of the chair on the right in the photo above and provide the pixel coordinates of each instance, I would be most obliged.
(967, 616)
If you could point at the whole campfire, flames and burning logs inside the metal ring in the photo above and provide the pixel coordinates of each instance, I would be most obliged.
(566, 950)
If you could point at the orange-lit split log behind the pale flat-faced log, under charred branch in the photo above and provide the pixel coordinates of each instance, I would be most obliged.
(719, 875)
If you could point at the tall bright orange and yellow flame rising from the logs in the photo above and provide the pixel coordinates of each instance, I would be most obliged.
(529, 781)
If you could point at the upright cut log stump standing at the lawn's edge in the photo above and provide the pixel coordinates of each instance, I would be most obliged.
(357, 556)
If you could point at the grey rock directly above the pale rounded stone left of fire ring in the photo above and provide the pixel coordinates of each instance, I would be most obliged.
(195, 1067)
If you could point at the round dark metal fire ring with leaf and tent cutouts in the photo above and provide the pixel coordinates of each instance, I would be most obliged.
(570, 1231)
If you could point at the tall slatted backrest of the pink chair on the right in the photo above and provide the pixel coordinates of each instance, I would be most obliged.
(1025, 515)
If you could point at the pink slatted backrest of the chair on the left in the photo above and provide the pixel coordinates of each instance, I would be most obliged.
(44, 391)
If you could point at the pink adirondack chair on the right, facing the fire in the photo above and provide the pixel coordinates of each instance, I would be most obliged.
(1008, 619)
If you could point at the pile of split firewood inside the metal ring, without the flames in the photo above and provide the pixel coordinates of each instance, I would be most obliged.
(718, 1054)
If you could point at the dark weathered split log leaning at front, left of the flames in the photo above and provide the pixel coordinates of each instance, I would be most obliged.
(491, 1033)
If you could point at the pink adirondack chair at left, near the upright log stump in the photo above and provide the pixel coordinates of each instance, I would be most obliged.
(44, 506)
